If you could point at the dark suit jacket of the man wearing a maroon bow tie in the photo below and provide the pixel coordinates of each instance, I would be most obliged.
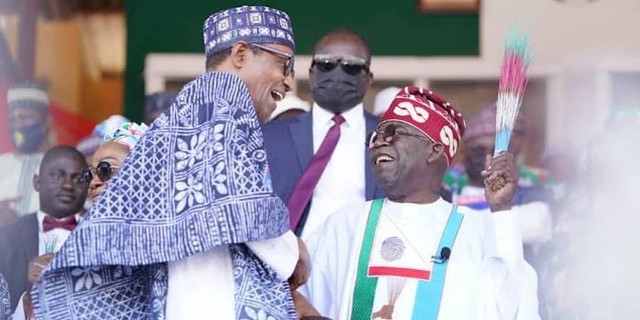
(18, 245)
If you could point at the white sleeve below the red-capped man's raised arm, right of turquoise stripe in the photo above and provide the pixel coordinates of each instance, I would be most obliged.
(510, 282)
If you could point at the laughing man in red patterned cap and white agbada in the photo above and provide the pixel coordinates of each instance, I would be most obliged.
(413, 255)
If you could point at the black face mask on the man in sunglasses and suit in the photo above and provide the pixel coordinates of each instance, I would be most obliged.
(338, 91)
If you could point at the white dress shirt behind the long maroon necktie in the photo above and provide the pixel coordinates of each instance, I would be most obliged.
(343, 180)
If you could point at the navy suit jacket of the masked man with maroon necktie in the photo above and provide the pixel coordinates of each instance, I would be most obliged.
(289, 145)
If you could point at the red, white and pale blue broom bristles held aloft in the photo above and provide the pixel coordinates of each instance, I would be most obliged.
(513, 81)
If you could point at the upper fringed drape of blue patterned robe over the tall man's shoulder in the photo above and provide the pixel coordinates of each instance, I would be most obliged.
(197, 179)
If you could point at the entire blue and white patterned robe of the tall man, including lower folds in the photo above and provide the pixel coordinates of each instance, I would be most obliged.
(196, 180)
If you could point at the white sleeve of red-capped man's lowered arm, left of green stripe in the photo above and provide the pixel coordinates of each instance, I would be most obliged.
(331, 248)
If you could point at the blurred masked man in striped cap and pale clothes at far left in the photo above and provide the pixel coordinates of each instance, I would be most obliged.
(28, 124)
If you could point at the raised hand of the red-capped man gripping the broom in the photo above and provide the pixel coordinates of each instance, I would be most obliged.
(500, 181)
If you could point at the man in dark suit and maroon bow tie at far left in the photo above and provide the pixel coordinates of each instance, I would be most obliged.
(27, 245)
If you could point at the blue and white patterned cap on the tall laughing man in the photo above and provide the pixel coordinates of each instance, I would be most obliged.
(256, 24)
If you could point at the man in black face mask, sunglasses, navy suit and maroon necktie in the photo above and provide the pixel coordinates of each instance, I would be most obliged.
(318, 160)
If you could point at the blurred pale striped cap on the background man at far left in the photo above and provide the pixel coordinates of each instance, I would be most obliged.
(28, 94)
